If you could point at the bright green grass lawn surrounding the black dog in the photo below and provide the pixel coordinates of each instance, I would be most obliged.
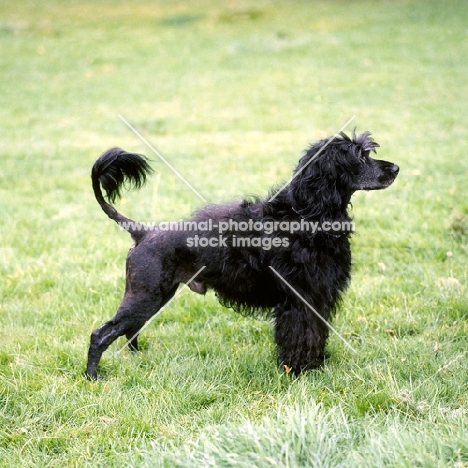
(231, 93)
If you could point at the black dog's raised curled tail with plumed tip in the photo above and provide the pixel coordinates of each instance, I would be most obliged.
(115, 169)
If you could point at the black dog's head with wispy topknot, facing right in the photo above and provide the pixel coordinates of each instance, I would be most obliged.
(332, 170)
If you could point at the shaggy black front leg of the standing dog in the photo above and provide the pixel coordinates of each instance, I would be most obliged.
(300, 337)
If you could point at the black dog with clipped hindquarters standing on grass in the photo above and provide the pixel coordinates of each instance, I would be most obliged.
(257, 254)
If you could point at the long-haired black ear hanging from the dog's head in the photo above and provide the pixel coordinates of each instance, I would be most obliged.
(314, 191)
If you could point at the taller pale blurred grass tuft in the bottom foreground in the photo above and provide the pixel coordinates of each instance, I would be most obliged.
(306, 434)
